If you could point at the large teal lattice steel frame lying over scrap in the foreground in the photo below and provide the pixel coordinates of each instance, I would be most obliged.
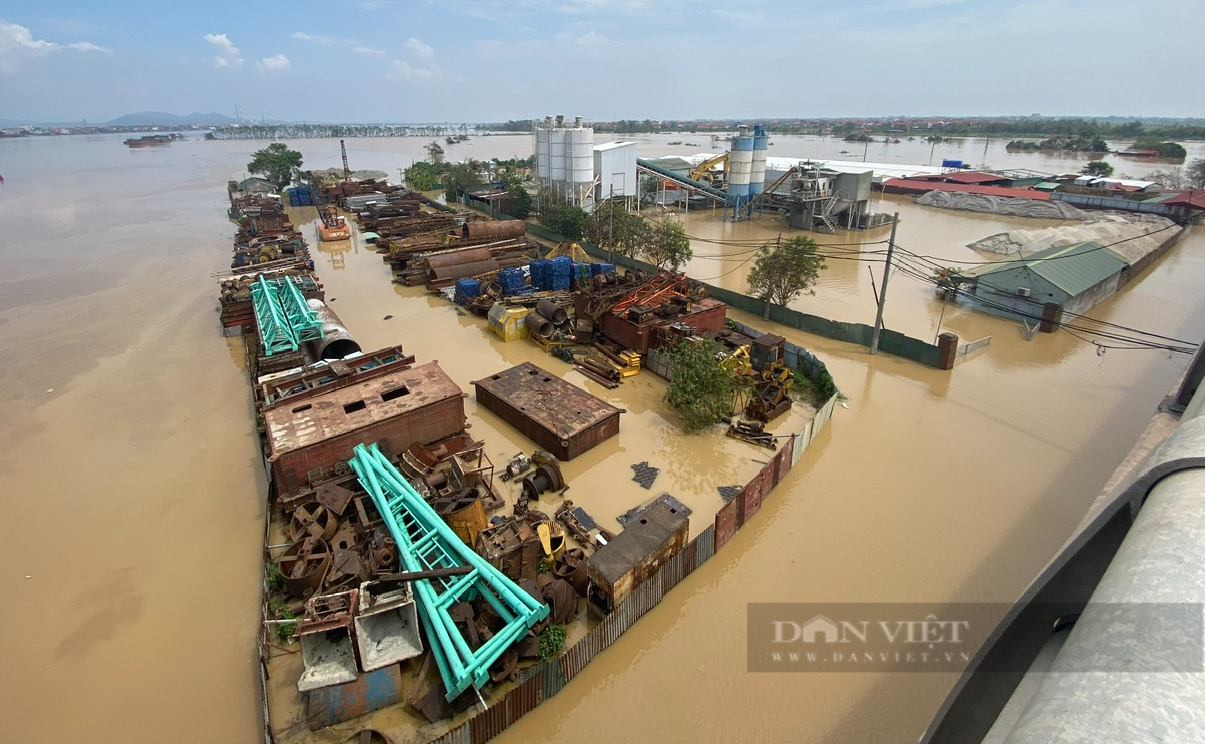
(426, 542)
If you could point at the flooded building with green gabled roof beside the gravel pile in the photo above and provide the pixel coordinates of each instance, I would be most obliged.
(1075, 278)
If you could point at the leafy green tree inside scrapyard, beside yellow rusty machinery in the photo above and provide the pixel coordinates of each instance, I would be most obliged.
(702, 391)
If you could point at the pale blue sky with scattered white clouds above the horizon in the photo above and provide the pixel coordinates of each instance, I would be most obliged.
(427, 61)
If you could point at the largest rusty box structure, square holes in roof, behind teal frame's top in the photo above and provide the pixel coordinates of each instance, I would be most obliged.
(397, 411)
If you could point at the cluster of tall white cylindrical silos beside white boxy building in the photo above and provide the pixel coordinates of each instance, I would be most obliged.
(565, 160)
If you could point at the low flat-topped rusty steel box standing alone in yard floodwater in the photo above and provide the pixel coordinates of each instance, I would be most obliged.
(560, 417)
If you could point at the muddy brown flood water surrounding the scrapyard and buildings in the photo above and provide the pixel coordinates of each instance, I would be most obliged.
(134, 495)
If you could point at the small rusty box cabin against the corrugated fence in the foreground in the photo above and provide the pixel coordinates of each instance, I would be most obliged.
(657, 534)
